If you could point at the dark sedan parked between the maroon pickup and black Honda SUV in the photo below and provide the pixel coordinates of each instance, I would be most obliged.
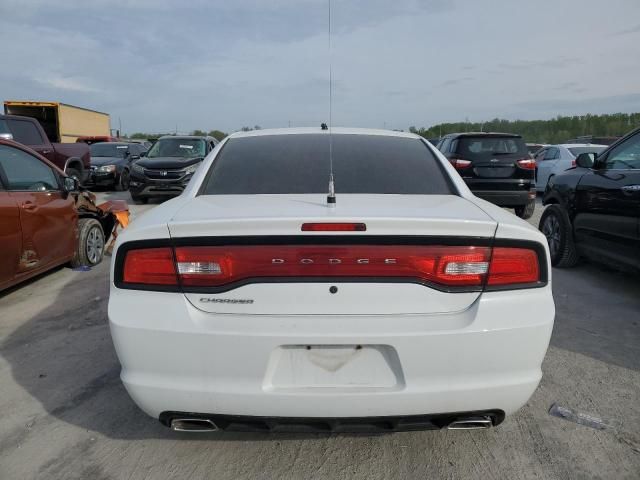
(111, 163)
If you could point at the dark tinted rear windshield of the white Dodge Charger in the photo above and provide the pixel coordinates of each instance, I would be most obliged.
(287, 164)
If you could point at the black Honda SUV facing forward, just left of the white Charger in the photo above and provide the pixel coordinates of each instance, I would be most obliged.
(168, 166)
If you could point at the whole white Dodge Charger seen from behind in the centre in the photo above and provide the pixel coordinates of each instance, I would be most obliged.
(253, 302)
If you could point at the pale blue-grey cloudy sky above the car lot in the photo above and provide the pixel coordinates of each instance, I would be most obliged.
(159, 64)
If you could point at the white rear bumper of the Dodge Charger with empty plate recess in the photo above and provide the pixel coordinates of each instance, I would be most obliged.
(176, 358)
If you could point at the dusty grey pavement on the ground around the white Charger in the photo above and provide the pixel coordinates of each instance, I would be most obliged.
(65, 413)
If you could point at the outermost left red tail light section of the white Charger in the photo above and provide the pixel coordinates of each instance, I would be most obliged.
(150, 266)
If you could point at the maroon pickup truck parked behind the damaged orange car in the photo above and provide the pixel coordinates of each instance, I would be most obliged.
(73, 158)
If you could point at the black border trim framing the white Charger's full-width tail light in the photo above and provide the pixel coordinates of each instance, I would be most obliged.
(328, 240)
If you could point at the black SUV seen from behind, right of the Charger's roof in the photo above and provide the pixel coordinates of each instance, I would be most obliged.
(495, 166)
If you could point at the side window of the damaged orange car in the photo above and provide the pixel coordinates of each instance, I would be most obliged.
(23, 171)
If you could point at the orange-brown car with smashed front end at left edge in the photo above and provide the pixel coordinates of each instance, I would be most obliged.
(46, 220)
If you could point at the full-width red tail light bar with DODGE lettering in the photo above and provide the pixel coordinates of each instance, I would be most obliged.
(458, 268)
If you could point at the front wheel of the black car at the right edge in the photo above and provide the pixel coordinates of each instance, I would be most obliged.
(556, 226)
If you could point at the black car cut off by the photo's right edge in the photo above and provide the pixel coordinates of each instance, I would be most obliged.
(594, 209)
